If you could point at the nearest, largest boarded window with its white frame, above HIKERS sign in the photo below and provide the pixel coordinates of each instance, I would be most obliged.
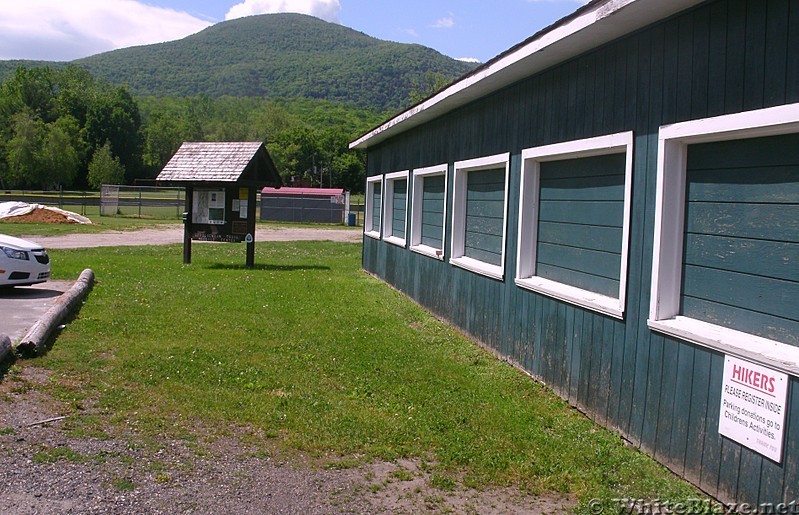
(726, 248)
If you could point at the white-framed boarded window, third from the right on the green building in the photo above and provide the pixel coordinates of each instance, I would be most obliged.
(479, 212)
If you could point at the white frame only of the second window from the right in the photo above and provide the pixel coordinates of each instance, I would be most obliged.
(528, 220)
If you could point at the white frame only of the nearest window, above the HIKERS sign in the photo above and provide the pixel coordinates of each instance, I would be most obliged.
(664, 309)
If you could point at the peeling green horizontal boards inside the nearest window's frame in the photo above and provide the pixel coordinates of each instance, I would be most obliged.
(741, 265)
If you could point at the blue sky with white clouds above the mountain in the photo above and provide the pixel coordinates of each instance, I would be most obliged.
(63, 30)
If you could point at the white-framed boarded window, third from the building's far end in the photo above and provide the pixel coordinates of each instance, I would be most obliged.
(429, 211)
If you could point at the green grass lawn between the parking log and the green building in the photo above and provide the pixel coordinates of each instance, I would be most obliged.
(318, 356)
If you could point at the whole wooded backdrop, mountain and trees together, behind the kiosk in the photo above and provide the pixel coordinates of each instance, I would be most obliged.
(303, 86)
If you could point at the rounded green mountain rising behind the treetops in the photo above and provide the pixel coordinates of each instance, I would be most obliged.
(274, 56)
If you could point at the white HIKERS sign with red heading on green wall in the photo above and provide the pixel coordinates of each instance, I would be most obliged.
(753, 406)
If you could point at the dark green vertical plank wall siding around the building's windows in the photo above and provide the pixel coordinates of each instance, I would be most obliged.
(661, 393)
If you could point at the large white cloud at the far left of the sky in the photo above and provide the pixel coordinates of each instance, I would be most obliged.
(61, 31)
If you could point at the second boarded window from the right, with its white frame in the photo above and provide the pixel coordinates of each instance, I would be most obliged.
(574, 221)
